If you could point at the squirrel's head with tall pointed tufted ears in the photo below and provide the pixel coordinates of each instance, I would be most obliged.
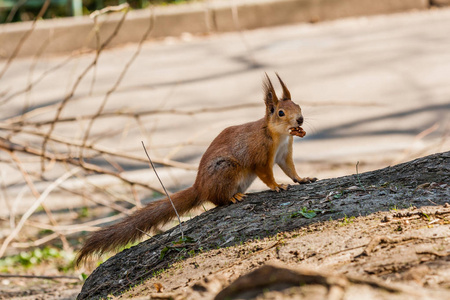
(281, 113)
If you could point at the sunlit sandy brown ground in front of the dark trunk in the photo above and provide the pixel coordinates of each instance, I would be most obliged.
(414, 256)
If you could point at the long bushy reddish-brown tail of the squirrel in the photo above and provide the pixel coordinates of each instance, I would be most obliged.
(133, 227)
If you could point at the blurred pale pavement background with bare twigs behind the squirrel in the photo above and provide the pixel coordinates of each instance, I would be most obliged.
(79, 94)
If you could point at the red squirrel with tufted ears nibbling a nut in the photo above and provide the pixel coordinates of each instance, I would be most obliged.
(234, 159)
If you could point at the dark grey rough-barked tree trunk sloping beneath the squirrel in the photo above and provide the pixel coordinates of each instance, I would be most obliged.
(265, 214)
